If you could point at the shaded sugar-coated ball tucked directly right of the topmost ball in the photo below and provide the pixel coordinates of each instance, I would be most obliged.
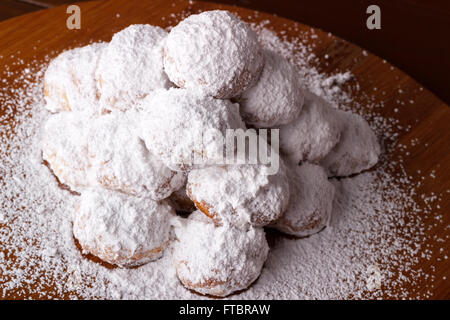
(277, 98)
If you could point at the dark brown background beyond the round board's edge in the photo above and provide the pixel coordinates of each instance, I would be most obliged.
(414, 35)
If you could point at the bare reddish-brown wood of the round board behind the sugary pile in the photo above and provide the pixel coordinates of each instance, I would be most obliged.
(44, 33)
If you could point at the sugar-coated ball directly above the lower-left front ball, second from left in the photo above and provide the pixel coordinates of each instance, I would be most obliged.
(120, 161)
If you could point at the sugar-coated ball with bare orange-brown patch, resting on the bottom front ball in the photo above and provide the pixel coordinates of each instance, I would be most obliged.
(240, 194)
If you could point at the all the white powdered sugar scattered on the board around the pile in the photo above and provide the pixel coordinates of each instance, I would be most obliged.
(372, 247)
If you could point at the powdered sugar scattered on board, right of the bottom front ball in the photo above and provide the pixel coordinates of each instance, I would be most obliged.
(363, 242)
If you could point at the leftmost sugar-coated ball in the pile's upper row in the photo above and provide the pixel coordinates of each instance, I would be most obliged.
(69, 82)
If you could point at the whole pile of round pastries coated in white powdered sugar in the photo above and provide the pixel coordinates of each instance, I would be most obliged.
(125, 113)
